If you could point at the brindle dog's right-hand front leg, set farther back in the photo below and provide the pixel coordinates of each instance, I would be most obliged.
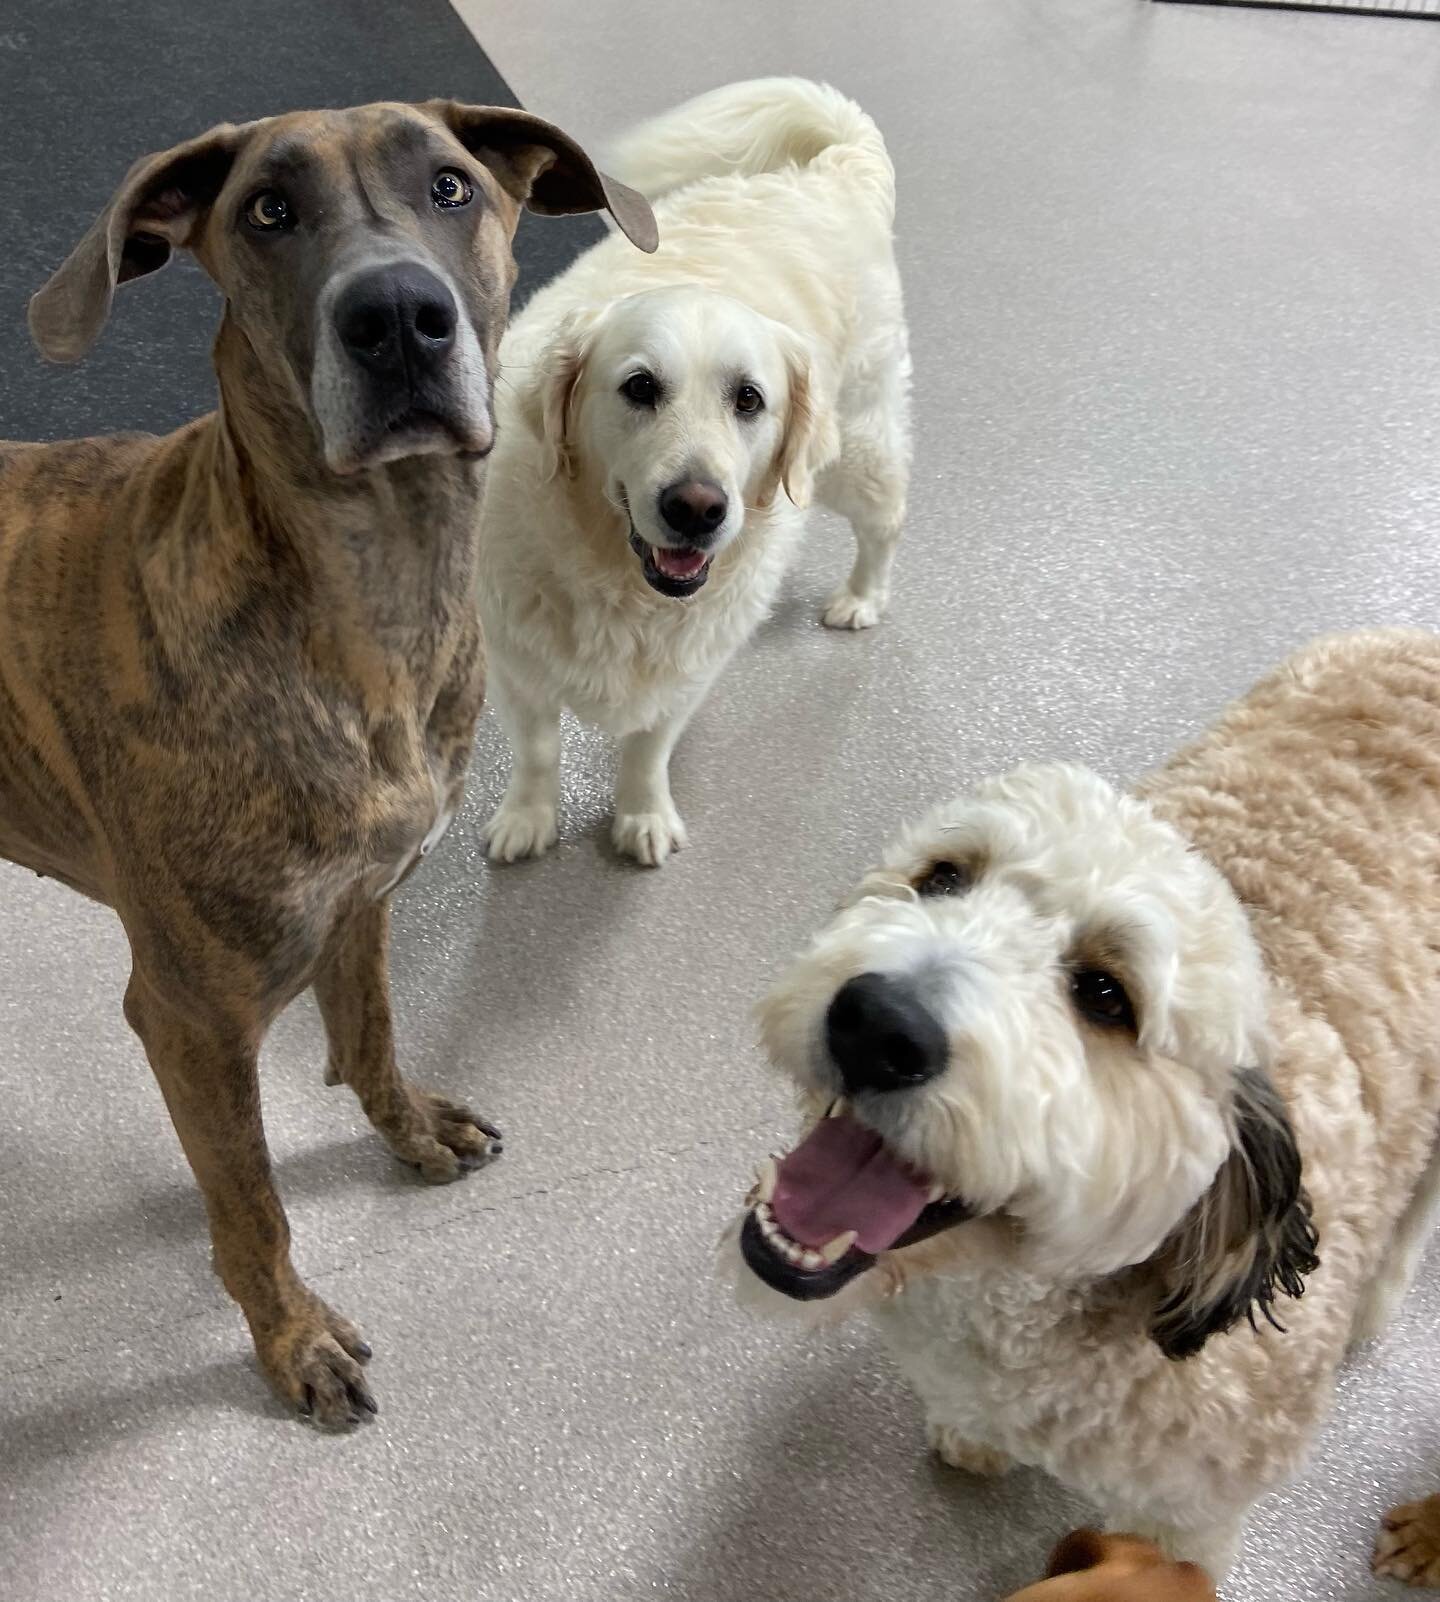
(441, 1138)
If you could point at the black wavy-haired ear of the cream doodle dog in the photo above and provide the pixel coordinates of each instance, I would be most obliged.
(1249, 1239)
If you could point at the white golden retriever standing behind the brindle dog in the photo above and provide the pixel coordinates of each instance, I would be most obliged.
(664, 429)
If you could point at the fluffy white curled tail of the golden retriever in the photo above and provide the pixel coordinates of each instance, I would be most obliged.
(757, 127)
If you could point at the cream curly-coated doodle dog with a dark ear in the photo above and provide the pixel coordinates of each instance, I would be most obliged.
(1111, 1076)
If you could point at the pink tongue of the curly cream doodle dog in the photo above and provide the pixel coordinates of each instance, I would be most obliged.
(842, 1178)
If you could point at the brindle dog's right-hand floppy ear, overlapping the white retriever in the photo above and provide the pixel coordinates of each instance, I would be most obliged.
(545, 169)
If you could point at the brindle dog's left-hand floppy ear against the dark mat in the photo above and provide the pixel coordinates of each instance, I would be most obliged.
(150, 215)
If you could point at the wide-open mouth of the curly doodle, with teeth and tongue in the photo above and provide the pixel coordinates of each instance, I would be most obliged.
(819, 1217)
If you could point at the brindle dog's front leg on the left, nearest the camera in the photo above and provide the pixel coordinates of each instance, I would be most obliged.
(207, 1073)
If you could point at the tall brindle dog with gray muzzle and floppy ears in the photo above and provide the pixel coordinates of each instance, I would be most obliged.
(241, 666)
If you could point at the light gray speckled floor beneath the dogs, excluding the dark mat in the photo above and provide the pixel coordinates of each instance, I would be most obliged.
(1173, 283)
